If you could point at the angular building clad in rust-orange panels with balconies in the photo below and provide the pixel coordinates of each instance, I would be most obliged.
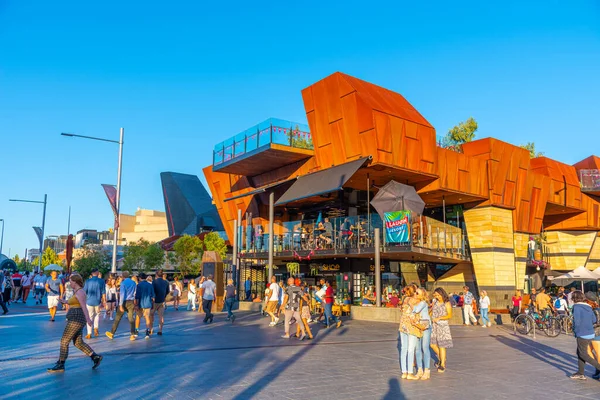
(494, 218)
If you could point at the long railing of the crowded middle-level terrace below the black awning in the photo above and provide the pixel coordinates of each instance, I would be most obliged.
(353, 233)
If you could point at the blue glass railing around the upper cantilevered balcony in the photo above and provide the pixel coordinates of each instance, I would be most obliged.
(275, 131)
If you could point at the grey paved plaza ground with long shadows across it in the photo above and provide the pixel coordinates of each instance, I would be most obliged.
(249, 360)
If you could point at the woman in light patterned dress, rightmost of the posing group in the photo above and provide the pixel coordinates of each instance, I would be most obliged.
(441, 338)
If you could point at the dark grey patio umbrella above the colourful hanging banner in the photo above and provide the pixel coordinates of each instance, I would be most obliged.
(396, 196)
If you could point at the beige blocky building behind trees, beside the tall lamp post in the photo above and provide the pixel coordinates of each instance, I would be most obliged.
(150, 225)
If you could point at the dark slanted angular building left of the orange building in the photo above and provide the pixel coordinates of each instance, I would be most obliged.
(190, 209)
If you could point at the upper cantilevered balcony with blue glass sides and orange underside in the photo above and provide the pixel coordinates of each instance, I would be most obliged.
(264, 147)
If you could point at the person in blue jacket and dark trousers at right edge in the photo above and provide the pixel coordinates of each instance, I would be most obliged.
(584, 319)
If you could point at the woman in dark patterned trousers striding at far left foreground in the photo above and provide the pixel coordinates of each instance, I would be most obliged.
(77, 316)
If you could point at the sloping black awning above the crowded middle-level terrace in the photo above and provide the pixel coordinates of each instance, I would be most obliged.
(321, 182)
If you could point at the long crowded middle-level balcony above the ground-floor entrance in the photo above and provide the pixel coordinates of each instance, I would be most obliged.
(430, 240)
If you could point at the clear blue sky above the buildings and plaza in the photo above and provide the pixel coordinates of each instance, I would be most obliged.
(181, 76)
